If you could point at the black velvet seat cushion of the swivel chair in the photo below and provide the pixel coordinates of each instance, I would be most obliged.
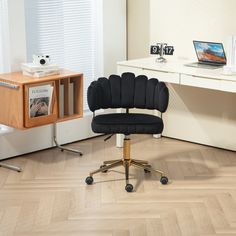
(122, 123)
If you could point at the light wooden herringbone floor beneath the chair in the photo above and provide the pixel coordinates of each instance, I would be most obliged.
(50, 196)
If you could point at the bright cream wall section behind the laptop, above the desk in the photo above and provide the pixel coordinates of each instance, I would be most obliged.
(179, 22)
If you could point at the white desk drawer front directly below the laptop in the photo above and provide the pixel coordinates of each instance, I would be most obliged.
(200, 82)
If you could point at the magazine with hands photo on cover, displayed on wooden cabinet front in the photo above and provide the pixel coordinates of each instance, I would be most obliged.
(40, 100)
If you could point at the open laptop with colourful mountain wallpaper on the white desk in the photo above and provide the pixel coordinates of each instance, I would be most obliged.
(210, 55)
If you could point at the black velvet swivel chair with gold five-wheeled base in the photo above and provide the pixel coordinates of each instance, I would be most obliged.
(127, 91)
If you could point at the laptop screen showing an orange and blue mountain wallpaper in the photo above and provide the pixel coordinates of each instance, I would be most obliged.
(210, 52)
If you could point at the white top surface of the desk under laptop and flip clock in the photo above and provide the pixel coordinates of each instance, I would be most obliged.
(177, 66)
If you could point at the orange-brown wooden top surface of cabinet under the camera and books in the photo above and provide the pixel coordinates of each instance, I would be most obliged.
(20, 79)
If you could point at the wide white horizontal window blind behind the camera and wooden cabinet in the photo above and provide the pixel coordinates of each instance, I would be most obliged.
(70, 31)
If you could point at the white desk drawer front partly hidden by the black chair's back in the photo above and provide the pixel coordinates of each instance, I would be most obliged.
(168, 77)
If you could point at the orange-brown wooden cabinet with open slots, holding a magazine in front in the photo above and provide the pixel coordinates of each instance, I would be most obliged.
(15, 105)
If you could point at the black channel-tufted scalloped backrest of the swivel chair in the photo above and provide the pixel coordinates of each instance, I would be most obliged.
(128, 91)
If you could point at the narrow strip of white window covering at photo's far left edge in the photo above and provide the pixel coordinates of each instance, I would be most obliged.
(4, 38)
